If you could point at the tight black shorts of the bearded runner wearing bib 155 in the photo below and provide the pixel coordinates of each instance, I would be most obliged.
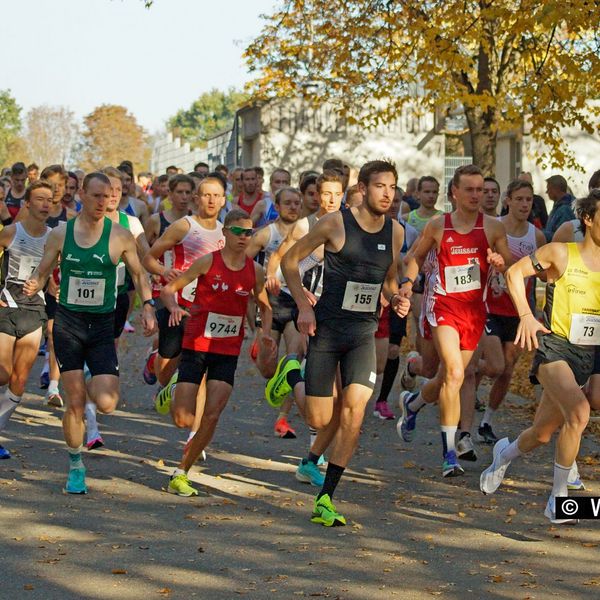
(352, 349)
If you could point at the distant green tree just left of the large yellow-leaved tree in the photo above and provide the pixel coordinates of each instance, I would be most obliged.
(212, 112)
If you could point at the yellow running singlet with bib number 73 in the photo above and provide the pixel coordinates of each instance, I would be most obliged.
(572, 308)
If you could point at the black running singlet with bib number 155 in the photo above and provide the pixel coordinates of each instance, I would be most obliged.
(353, 277)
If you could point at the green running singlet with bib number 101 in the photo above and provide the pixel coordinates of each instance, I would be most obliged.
(88, 277)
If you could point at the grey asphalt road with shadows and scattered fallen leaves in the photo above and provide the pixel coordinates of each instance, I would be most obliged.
(410, 533)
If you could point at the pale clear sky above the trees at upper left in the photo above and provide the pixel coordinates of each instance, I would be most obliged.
(84, 53)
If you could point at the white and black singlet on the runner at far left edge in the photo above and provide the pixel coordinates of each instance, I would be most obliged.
(21, 258)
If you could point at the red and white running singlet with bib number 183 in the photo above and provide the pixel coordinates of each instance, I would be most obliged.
(460, 268)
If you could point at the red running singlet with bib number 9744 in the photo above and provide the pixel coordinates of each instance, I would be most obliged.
(216, 323)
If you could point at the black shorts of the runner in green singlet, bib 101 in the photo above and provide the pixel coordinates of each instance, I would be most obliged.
(81, 337)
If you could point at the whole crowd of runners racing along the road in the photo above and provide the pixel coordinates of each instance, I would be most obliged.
(331, 270)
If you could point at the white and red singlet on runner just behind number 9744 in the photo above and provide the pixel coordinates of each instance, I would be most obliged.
(197, 243)
